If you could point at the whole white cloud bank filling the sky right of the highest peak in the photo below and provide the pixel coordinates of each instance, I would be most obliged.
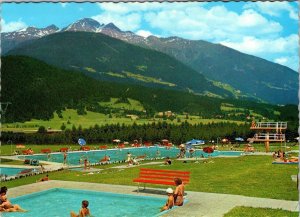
(249, 31)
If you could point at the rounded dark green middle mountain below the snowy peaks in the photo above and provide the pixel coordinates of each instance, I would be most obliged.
(110, 59)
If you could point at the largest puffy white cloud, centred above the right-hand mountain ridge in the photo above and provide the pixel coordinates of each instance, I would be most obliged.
(214, 24)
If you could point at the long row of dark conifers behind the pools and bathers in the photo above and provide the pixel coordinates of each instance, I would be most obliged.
(154, 133)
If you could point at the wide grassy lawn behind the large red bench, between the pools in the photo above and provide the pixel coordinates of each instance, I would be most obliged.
(254, 176)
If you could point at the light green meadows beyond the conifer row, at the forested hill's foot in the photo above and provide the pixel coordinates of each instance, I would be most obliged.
(70, 118)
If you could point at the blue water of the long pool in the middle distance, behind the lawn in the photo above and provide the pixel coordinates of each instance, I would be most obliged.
(76, 158)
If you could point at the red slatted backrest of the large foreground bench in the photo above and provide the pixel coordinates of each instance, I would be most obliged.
(146, 173)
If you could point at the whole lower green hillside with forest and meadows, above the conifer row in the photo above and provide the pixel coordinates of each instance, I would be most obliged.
(39, 91)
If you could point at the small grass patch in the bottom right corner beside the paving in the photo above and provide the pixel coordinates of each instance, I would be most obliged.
(266, 212)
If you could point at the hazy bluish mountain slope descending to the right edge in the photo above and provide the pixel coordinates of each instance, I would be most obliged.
(252, 76)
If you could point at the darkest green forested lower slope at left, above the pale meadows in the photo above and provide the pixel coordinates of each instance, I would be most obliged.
(37, 90)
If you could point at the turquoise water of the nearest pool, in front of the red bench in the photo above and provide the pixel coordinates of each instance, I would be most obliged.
(59, 202)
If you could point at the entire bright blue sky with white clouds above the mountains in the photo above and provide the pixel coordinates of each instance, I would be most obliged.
(265, 29)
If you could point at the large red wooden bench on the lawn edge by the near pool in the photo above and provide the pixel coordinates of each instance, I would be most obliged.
(161, 177)
